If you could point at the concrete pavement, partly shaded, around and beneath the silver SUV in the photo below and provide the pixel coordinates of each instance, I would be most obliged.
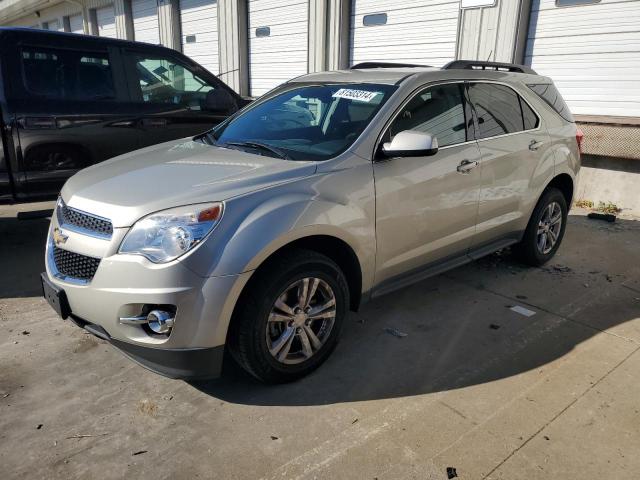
(474, 385)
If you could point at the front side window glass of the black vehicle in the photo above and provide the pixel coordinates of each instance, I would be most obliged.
(164, 81)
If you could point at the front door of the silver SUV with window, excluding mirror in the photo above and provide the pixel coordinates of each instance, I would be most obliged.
(426, 207)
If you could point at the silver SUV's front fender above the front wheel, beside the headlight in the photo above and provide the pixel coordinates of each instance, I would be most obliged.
(256, 225)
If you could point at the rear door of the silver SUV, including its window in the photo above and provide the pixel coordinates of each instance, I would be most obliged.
(516, 160)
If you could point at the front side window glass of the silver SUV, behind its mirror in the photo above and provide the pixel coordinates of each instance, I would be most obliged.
(438, 110)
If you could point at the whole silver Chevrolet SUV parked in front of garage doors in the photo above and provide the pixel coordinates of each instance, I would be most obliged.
(260, 235)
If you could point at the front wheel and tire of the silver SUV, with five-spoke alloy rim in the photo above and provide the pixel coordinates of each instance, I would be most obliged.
(259, 327)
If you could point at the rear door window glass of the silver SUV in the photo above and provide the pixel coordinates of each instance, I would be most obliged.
(498, 109)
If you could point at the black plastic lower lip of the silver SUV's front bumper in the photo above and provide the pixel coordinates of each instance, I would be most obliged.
(183, 363)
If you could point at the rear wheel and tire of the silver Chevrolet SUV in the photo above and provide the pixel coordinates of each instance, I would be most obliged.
(529, 249)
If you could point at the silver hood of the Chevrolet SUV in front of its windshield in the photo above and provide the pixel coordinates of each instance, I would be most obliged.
(173, 174)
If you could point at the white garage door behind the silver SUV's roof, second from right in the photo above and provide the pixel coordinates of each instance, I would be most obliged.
(412, 31)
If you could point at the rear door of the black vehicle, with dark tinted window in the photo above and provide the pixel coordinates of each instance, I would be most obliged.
(69, 110)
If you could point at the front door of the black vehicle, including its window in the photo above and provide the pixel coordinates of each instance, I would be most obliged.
(175, 98)
